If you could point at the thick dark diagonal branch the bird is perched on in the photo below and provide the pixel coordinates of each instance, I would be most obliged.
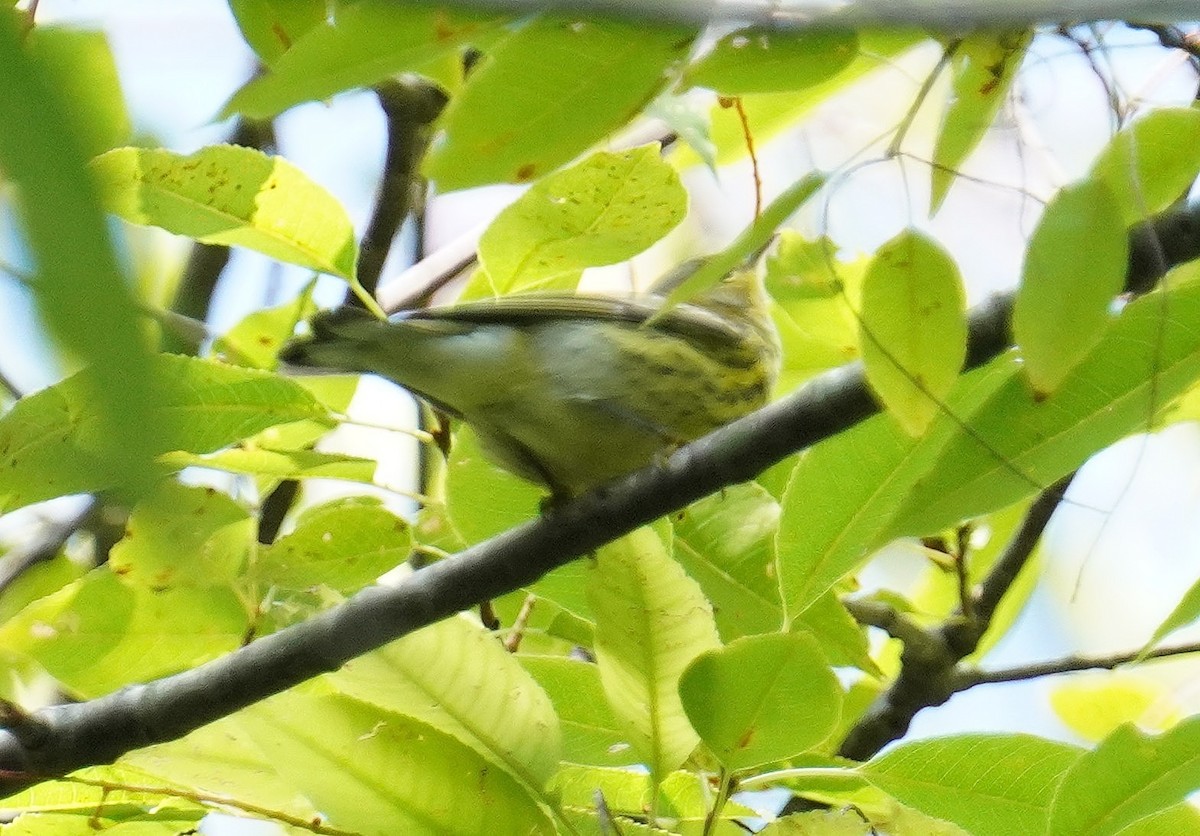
(63, 738)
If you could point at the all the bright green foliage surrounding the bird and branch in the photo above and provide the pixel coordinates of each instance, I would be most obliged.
(637, 690)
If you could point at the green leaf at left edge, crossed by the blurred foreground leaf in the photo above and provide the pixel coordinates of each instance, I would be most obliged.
(51, 442)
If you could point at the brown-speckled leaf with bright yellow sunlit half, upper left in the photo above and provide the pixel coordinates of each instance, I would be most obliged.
(233, 196)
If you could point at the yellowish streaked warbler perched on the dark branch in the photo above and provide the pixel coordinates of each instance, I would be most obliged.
(569, 390)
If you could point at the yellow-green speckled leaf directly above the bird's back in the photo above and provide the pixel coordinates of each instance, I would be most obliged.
(603, 210)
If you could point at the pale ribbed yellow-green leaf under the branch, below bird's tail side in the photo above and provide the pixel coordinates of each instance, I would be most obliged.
(459, 679)
